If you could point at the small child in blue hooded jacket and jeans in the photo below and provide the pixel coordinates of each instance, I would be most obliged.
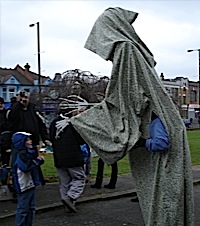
(27, 175)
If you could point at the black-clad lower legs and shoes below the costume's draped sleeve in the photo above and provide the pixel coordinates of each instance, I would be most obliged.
(99, 176)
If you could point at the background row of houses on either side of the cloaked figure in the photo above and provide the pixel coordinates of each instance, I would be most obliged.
(184, 93)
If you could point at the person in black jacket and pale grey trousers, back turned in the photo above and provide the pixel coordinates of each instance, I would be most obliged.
(68, 158)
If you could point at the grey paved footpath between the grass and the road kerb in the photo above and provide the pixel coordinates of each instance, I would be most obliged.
(48, 198)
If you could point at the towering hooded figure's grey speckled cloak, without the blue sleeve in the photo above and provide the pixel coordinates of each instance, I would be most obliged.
(112, 127)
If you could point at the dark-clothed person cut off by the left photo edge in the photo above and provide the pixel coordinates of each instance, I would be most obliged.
(5, 137)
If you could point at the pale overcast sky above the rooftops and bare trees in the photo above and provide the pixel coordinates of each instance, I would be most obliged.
(168, 28)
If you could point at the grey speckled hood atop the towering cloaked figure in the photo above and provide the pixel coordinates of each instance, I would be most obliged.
(112, 27)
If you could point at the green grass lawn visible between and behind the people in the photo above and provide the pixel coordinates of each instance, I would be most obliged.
(49, 170)
